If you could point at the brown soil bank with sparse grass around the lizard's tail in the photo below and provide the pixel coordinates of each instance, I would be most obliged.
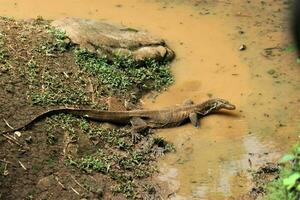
(58, 157)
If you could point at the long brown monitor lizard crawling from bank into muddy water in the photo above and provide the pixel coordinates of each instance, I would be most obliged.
(141, 119)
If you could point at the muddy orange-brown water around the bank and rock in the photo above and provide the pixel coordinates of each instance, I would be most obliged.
(211, 162)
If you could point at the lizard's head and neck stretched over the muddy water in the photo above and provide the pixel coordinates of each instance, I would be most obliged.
(215, 105)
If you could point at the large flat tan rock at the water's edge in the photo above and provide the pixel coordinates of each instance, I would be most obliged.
(107, 39)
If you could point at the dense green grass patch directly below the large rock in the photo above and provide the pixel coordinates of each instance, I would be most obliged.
(124, 74)
